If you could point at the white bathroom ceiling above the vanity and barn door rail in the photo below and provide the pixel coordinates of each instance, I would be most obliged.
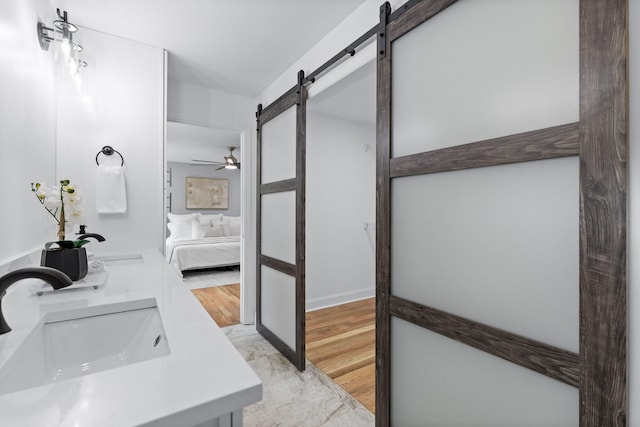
(238, 46)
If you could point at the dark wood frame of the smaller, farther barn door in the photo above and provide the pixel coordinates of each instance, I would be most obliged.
(298, 98)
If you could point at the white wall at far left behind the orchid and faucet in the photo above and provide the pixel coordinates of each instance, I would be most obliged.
(27, 126)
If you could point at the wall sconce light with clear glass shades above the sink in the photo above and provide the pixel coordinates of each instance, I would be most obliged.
(62, 33)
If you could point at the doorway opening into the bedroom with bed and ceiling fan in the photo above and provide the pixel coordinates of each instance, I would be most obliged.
(204, 204)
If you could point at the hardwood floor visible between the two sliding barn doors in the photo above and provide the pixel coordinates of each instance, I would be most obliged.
(341, 342)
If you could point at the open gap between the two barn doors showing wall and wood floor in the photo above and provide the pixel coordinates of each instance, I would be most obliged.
(340, 232)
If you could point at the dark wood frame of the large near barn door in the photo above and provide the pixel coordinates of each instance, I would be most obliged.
(600, 141)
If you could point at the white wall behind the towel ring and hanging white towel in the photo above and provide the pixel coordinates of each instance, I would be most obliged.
(120, 102)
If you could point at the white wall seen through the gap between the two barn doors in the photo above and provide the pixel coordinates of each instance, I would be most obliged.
(341, 196)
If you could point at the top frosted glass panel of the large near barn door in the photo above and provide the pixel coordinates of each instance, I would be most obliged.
(485, 69)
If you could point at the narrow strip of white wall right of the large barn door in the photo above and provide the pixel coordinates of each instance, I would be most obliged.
(633, 214)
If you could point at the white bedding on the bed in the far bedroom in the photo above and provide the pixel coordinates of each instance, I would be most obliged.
(190, 254)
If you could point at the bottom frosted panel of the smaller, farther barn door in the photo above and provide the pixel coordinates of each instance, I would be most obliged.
(279, 294)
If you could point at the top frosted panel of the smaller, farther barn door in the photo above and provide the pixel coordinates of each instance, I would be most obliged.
(279, 154)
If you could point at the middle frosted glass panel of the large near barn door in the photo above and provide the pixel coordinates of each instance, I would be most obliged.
(498, 245)
